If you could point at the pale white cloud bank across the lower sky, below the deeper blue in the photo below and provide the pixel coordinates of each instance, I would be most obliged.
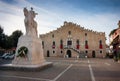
(12, 18)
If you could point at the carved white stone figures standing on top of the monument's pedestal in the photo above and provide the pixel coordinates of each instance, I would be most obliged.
(30, 23)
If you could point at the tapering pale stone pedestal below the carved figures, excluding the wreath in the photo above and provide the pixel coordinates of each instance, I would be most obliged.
(34, 57)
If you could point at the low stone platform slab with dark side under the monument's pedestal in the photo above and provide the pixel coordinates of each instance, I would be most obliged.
(37, 67)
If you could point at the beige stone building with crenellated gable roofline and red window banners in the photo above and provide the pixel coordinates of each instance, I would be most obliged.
(72, 40)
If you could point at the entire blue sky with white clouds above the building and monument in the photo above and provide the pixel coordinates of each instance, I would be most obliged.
(97, 15)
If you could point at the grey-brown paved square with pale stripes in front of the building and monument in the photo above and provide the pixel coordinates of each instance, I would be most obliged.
(69, 69)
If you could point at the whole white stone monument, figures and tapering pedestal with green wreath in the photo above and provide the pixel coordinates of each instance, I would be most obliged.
(34, 57)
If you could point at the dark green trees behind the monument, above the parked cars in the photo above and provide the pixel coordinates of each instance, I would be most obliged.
(7, 42)
